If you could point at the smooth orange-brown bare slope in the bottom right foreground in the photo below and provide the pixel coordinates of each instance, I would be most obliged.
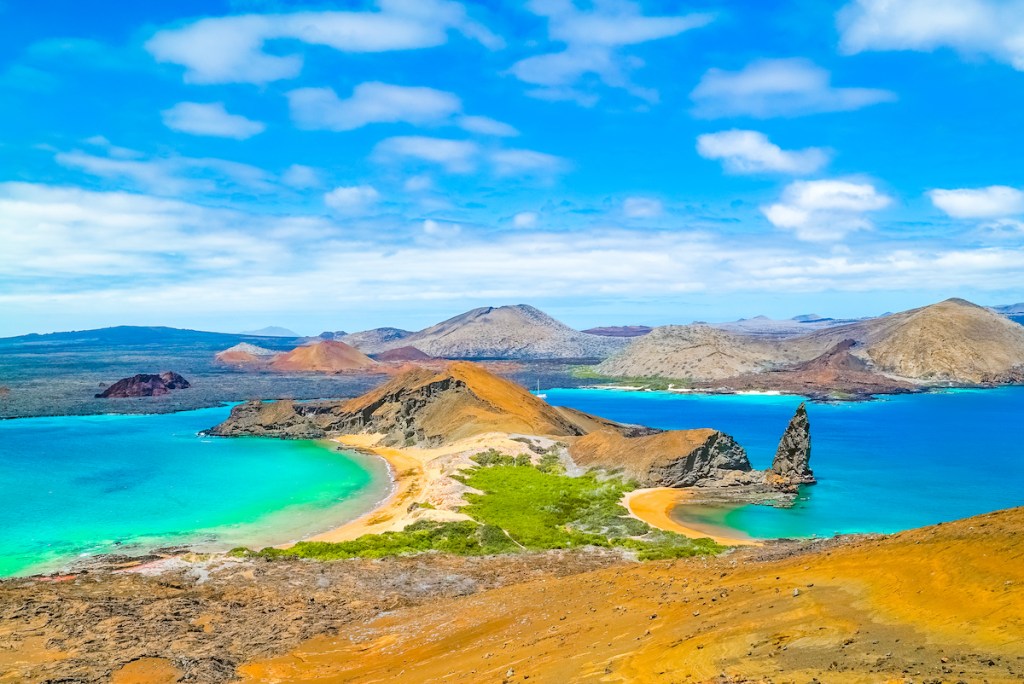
(943, 604)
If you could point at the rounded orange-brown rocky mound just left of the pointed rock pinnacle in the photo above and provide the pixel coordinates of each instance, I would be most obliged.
(674, 458)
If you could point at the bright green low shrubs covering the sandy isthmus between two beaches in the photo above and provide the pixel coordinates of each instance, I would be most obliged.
(523, 507)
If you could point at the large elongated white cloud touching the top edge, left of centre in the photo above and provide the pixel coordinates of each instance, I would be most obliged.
(231, 50)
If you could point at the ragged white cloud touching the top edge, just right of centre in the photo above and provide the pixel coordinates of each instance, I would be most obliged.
(593, 40)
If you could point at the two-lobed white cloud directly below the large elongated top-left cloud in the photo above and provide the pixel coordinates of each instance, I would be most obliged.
(371, 103)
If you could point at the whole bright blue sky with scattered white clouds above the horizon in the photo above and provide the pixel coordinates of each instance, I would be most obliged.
(346, 165)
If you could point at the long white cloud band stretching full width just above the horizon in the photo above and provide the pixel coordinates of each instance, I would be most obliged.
(170, 255)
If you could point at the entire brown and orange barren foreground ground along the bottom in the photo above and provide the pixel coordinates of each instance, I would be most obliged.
(938, 605)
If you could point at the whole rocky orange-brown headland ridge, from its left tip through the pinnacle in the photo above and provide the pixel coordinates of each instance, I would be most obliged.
(428, 408)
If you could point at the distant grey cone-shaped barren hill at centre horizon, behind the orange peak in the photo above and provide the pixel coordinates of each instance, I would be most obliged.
(507, 332)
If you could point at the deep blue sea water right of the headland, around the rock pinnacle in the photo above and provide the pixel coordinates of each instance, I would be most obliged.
(883, 466)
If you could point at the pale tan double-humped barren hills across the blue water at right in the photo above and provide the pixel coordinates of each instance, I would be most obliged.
(953, 341)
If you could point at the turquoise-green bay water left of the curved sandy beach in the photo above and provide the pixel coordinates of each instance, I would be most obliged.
(88, 485)
